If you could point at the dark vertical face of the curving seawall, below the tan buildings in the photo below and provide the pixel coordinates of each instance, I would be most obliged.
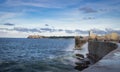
(97, 50)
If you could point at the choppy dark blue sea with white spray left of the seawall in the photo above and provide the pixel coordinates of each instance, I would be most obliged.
(36, 55)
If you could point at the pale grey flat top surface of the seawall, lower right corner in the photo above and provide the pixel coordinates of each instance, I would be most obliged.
(109, 63)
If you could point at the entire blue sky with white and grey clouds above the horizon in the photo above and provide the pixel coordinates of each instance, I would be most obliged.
(20, 18)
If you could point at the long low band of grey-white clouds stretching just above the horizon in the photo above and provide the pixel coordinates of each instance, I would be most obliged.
(51, 30)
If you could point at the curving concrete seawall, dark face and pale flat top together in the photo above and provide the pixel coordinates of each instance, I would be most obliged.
(106, 56)
